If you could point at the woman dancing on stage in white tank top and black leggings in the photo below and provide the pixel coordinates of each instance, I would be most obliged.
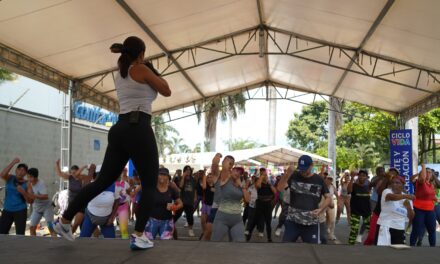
(137, 84)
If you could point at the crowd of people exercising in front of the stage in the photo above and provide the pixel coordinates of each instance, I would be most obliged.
(232, 202)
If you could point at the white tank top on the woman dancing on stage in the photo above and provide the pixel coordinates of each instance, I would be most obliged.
(132, 95)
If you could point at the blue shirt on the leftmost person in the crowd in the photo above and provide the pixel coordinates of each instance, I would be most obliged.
(14, 201)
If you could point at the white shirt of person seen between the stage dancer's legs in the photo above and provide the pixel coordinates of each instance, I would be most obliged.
(102, 205)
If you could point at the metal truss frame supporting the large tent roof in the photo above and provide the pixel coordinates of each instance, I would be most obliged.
(180, 60)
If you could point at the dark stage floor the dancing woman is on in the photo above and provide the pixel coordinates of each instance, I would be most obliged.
(19, 249)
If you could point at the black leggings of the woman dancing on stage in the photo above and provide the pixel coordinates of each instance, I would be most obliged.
(127, 139)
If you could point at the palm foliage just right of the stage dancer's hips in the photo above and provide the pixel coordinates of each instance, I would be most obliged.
(162, 131)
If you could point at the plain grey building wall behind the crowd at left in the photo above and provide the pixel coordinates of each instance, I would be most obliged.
(36, 141)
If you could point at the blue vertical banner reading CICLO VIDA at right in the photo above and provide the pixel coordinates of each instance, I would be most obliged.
(401, 155)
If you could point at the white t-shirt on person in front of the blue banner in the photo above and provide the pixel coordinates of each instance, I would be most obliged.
(393, 214)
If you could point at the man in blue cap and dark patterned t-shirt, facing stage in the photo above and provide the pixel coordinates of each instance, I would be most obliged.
(306, 191)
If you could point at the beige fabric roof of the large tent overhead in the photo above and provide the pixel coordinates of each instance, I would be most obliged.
(381, 53)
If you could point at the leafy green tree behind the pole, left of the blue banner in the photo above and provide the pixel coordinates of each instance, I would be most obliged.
(362, 140)
